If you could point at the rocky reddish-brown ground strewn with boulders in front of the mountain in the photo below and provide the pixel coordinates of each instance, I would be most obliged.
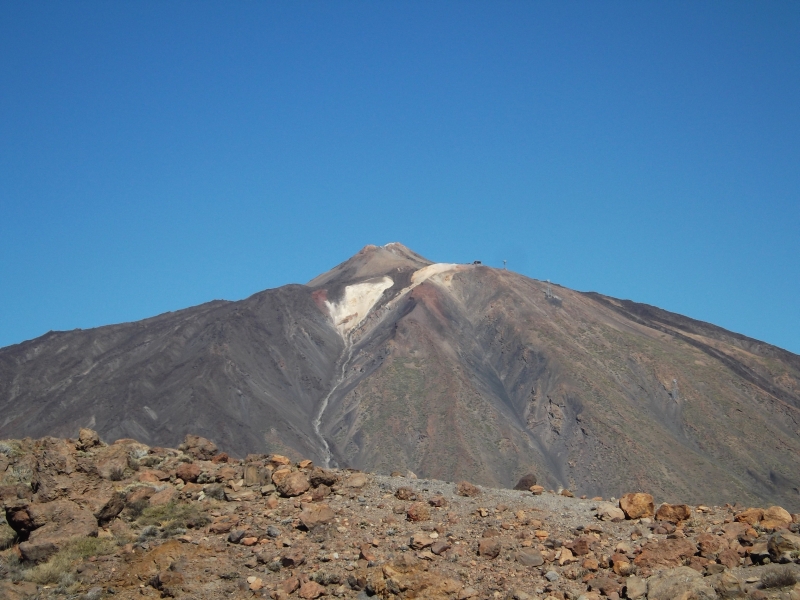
(88, 520)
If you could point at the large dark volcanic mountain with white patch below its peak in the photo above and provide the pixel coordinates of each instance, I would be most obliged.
(390, 362)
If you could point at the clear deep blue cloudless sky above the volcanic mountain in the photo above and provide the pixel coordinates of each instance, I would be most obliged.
(157, 155)
